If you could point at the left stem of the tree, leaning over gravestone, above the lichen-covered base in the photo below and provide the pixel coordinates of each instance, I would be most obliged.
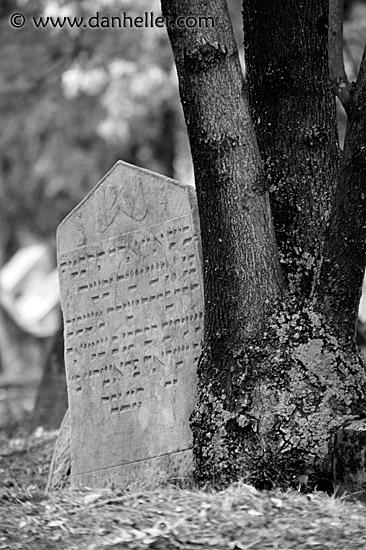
(236, 227)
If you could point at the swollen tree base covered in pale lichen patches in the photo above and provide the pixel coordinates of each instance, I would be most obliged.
(290, 391)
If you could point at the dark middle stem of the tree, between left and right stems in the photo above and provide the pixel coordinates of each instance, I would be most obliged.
(294, 116)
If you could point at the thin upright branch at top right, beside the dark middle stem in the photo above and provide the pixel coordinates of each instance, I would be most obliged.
(337, 72)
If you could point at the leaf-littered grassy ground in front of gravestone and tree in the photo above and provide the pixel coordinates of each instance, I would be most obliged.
(168, 518)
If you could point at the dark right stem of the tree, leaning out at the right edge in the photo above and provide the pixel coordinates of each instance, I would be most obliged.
(339, 285)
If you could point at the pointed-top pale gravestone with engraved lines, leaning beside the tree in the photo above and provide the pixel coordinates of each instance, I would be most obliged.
(131, 294)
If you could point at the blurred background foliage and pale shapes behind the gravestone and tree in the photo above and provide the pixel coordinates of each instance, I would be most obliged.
(73, 102)
